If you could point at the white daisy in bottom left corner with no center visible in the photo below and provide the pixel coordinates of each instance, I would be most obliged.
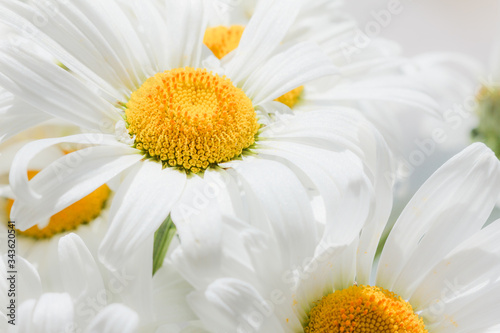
(89, 300)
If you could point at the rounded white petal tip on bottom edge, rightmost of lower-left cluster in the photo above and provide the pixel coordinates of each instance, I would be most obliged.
(115, 318)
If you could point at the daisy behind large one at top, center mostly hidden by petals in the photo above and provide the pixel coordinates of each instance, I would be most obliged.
(371, 69)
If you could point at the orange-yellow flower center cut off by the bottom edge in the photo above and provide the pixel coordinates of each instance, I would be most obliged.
(364, 309)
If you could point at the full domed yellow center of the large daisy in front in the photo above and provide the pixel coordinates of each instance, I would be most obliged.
(191, 118)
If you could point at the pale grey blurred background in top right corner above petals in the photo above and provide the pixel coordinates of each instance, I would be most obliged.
(465, 26)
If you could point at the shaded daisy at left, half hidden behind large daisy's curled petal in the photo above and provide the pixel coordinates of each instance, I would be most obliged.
(86, 217)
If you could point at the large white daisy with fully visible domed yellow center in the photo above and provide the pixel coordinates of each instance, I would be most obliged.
(169, 120)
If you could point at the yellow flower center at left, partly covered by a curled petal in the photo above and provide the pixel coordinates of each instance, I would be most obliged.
(81, 212)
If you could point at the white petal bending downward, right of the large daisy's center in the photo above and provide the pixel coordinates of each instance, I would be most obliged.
(339, 180)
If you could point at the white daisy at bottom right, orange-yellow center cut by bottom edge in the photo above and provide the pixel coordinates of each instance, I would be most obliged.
(438, 271)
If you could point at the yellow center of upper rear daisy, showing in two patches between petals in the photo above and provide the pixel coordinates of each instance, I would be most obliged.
(222, 40)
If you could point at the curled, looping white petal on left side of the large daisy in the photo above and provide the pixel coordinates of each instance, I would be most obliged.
(66, 180)
